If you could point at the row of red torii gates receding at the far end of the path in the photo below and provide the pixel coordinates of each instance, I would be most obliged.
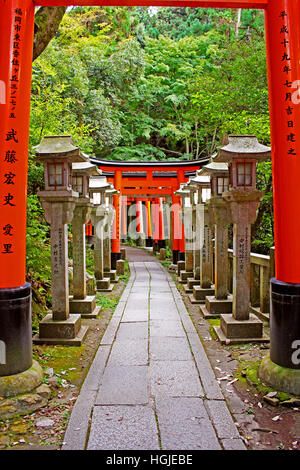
(145, 190)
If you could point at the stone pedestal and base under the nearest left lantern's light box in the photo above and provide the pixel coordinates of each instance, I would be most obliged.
(60, 327)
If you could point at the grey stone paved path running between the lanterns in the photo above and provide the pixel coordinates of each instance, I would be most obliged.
(151, 385)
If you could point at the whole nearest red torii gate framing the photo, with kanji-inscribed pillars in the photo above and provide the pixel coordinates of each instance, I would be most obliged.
(283, 44)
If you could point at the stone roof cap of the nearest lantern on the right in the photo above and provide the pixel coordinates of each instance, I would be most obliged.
(243, 146)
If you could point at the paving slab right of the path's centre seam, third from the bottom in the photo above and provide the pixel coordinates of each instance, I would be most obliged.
(169, 349)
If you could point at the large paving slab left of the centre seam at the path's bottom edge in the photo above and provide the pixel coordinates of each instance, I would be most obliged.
(123, 428)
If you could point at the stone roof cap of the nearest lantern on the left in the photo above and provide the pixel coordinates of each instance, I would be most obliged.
(62, 146)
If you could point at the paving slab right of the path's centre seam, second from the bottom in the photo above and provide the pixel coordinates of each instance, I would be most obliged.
(175, 379)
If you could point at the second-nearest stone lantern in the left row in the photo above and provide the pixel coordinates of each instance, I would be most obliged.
(80, 302)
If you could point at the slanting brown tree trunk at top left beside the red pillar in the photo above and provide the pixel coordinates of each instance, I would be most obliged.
(47, 21)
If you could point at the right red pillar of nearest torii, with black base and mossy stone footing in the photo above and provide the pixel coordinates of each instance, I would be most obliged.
(283, 41)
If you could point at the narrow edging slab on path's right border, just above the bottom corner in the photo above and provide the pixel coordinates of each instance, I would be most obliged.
(222, 419)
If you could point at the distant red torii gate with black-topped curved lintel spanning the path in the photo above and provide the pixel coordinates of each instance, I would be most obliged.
(143, 181)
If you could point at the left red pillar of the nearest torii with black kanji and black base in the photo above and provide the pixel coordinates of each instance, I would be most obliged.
(16, 38)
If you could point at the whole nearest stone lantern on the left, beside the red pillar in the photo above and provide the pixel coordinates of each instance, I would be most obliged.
(58, 199)
